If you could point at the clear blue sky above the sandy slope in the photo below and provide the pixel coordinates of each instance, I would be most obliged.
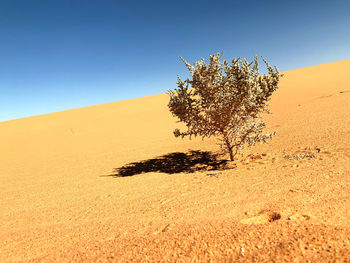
(65, 54)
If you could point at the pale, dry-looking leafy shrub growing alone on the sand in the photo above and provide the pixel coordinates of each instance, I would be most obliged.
(225, 101)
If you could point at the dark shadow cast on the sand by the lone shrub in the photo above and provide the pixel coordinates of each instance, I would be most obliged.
(177, 162)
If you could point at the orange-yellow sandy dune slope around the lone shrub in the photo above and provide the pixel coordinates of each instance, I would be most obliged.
(60, 200)
